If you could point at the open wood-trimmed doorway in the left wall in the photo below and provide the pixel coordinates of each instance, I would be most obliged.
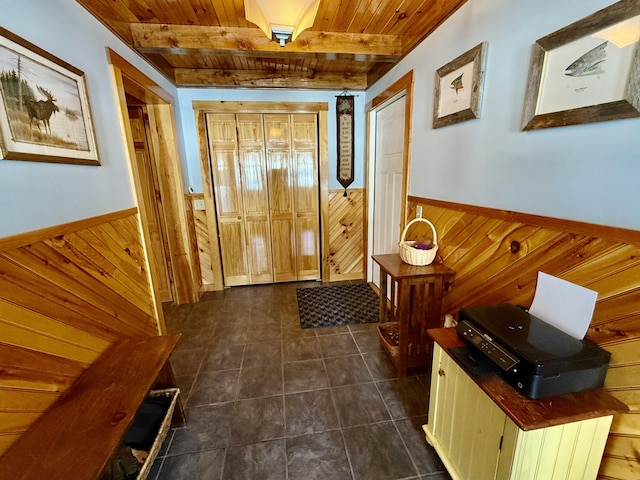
(158, 185)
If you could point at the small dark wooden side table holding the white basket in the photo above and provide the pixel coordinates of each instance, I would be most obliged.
(415, 307)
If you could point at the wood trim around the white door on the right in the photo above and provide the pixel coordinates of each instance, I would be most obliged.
(404, 84)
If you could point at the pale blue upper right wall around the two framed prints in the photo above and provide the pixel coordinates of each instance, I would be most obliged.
(587, 173)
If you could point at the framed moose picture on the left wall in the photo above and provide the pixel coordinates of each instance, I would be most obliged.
(44, 107)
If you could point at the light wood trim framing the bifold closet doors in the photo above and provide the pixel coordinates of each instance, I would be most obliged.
(201, 108)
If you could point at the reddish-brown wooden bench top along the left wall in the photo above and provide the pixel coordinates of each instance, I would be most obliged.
(78, 436)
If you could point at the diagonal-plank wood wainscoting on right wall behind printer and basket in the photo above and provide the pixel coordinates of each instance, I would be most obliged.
(497, 256)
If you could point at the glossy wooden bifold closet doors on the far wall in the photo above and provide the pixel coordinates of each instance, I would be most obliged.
(265, 177)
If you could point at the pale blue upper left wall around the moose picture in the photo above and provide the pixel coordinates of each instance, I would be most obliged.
(38, 195)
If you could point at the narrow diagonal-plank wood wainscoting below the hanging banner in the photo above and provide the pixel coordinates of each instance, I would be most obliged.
(346, 235)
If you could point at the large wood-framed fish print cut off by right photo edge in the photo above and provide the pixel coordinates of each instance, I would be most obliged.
(588, 71)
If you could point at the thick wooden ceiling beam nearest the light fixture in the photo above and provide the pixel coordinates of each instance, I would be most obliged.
(154, 38)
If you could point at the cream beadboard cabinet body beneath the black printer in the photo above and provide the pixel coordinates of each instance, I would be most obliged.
(477, 440)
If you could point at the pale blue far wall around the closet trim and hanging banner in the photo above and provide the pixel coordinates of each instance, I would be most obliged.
(187, 95)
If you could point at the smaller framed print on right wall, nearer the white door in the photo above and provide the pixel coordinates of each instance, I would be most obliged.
(458, 95)
